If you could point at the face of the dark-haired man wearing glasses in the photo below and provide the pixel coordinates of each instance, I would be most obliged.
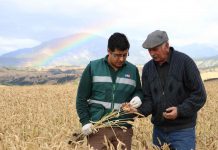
(117, 58)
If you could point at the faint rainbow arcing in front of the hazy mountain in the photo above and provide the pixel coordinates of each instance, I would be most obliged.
(71, 43)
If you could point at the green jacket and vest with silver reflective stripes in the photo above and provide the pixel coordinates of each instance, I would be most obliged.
(102, 89)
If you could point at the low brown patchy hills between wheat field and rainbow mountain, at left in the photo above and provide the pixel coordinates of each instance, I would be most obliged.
(32, 76)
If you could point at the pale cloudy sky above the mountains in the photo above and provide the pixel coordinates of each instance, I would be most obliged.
(27, 23)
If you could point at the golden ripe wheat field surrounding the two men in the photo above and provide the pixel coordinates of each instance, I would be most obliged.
(43, 117)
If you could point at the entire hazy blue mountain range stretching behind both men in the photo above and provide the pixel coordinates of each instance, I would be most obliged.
(79, 49)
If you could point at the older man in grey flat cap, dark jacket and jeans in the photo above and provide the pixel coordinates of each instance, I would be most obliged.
(173, 93)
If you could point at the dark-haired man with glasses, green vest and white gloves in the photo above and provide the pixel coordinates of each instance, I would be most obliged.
(105, 84)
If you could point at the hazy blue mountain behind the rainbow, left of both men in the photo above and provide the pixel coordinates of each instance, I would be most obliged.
(77, 49)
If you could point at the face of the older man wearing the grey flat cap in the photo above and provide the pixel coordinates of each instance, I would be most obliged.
(160, 53)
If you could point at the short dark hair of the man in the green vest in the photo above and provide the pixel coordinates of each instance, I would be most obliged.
(118, 41)
